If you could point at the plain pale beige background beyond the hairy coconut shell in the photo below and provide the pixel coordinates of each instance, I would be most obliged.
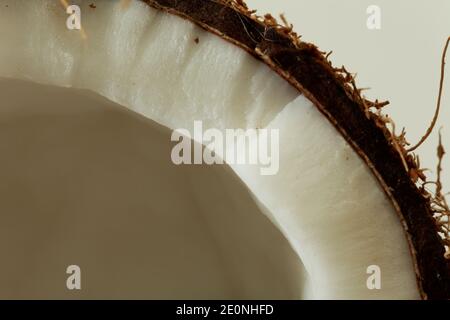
(400, 62)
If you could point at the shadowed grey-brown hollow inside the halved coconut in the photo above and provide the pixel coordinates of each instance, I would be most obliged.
(86, 182)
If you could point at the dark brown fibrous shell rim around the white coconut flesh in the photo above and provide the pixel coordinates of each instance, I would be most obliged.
(334, 92)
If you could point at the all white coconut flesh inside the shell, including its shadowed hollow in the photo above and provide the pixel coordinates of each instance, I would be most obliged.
(89, 183)
